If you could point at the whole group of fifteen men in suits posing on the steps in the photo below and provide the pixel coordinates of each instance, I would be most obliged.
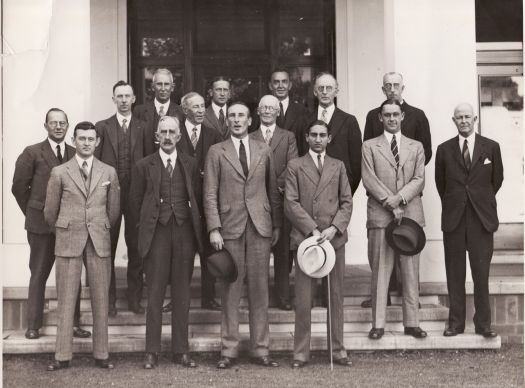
(165, 167)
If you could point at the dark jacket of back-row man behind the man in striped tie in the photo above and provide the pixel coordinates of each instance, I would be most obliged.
(414, 125)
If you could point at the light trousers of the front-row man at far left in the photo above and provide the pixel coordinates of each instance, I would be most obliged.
(68, 272)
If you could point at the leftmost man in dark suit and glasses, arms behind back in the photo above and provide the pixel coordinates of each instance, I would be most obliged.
(32, 171)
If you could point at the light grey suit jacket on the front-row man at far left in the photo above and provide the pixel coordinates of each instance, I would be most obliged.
(76, 213)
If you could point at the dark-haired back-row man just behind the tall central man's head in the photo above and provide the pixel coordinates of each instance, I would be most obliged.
(215, 115)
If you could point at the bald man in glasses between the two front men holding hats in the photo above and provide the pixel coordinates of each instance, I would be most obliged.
(284, 149)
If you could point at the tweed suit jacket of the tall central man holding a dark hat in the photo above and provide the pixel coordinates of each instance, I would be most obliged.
(230, 197)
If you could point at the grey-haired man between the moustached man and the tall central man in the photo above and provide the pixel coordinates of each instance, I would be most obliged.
(196, 139)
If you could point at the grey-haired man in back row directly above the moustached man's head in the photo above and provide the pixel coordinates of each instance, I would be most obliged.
(162, 85)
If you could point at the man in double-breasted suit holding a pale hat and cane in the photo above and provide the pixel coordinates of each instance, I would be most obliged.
(318, 202)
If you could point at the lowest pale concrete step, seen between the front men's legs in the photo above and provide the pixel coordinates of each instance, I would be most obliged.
(15, 342)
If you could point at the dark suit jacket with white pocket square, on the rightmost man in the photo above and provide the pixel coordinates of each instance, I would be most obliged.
(456, 185)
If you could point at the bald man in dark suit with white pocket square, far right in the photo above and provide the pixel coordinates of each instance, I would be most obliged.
(469, 173)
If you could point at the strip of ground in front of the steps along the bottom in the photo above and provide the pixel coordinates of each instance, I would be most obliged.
(478, 369)
